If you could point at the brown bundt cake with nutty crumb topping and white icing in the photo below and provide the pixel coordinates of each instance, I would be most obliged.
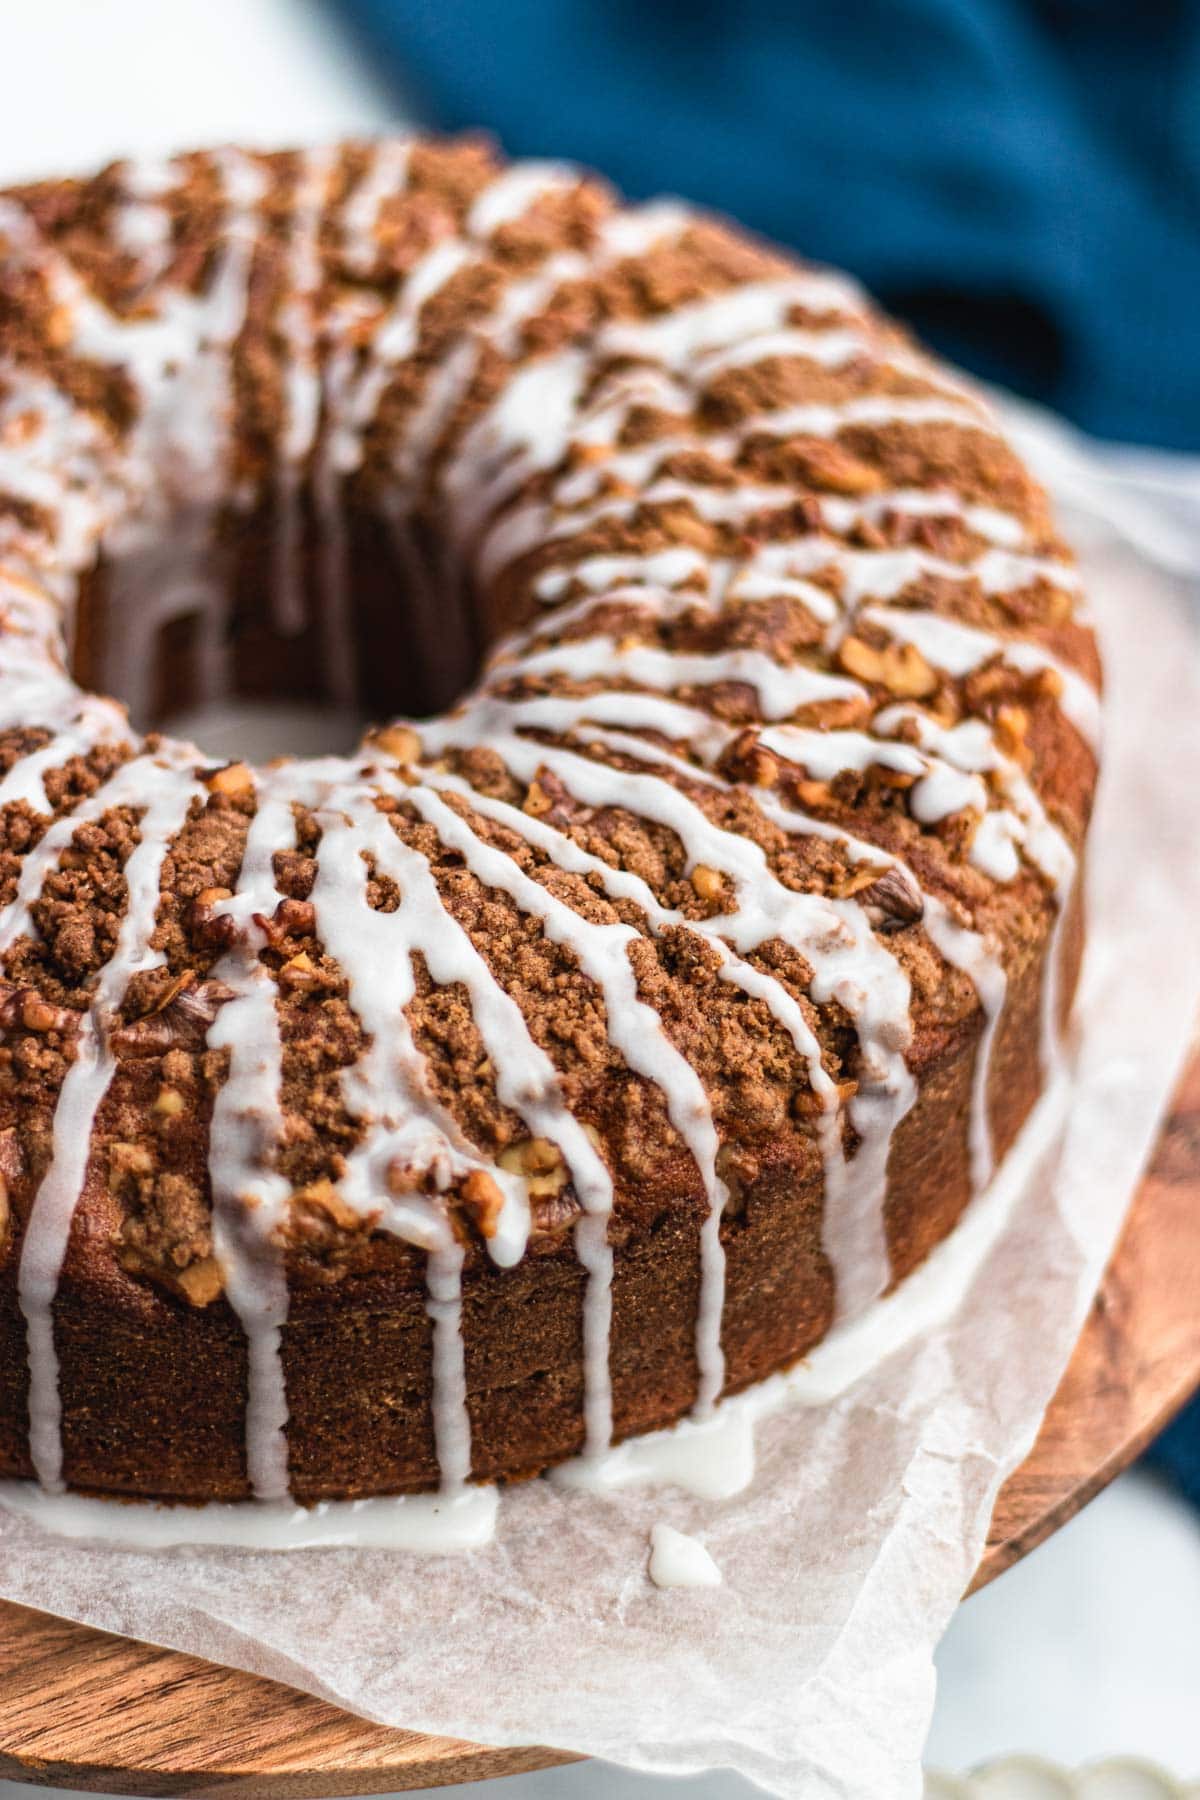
(573, 1054)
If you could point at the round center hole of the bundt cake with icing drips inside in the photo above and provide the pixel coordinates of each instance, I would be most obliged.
(260, 634)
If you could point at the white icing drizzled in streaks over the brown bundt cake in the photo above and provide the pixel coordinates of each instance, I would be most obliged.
(337, 370)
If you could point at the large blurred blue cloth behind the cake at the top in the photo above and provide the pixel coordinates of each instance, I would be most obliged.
(1021, 179)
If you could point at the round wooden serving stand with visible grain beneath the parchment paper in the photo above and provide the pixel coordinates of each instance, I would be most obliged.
(82, 1709)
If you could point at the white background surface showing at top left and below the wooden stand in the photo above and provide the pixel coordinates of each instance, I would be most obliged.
(1091, 1648)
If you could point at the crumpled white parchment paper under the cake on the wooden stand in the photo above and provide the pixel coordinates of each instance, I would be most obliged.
(810, 1669)
